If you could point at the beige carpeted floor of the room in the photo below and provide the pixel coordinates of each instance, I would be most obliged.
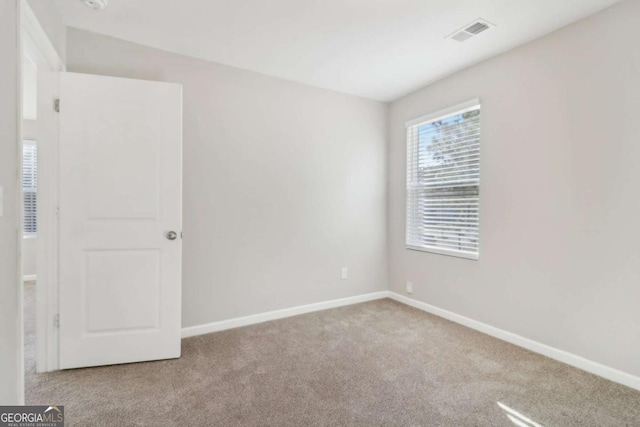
(374, 364)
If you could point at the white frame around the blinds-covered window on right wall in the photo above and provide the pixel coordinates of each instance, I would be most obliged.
(462, 108)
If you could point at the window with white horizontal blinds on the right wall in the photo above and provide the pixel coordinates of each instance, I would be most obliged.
(443, 181)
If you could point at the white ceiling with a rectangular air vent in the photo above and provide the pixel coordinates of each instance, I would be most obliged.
(378, 49)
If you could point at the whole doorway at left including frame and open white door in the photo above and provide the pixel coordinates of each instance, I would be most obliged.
(102, 201)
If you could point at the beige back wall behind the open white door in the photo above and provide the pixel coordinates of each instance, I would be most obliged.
(284, 184)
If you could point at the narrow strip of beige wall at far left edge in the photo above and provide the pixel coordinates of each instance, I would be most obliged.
(10, 320)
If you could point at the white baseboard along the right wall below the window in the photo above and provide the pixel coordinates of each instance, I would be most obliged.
(563, 356)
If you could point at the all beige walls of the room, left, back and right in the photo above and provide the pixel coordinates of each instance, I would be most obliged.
(284, 184)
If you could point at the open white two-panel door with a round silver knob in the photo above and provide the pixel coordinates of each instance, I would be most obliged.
(120, 199)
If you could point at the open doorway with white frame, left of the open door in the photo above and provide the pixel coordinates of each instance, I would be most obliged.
(38, 141)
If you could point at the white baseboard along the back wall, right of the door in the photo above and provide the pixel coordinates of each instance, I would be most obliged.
(237, 322)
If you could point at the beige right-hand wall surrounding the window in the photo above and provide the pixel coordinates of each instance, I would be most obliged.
(559, 257)
